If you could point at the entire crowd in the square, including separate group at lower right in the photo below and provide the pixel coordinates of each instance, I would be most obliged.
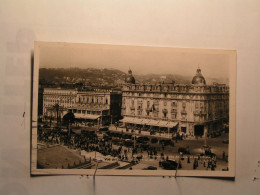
(116, 146)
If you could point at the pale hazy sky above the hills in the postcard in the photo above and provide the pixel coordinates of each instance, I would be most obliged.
(140, 59)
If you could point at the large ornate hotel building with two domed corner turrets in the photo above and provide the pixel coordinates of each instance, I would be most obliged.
(196, 109)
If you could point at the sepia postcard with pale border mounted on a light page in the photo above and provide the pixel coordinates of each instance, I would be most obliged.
(133, 110)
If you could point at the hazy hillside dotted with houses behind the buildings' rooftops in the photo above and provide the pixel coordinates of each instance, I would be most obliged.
(106, 77)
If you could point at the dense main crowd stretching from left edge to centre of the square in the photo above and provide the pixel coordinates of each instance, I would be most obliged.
(90, 141)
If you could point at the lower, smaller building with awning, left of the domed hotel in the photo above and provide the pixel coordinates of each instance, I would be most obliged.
(97, 105)
